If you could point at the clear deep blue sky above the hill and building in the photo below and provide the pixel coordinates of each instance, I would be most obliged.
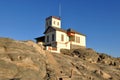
(98, 19)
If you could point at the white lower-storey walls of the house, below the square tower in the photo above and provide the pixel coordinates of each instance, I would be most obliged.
(64, 44)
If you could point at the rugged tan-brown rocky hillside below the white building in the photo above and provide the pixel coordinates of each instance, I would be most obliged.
(25, 60)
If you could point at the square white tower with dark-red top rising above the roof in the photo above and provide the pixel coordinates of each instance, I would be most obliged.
(53, 21)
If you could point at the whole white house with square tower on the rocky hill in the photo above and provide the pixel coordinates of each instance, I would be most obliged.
(55, 38)
